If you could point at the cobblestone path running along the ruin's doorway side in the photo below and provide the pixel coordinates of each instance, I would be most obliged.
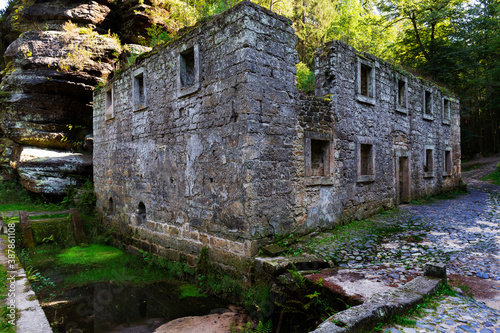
(463, 233)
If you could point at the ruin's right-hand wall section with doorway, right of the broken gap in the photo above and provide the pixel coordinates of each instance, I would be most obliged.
(392, 130)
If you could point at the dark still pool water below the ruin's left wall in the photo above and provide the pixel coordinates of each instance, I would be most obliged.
(106, 308)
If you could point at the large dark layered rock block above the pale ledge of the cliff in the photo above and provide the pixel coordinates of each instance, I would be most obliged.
(49, 83)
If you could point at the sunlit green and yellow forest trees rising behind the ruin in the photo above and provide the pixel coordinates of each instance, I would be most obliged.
(455, 43)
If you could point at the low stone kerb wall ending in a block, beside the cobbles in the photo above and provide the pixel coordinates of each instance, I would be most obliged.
(379, 307)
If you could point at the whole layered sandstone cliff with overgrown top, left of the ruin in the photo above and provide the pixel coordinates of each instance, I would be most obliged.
(55, 53)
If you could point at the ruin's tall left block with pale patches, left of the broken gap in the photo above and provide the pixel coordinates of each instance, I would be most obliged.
(181, 167)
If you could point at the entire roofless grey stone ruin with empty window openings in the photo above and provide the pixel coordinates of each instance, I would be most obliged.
(206, 142)
